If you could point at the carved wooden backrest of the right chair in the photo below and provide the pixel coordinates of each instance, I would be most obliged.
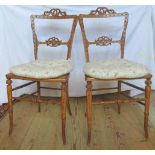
(103, 12)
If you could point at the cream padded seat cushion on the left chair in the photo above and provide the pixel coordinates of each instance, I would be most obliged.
(43, 69)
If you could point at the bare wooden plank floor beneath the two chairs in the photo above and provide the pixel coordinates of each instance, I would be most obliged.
(34, 130)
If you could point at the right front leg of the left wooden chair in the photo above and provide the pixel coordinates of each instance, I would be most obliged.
(63, 110)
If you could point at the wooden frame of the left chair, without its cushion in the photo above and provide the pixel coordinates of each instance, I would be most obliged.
(53, 42)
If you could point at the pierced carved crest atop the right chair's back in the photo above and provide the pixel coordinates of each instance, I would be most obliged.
(102, 11)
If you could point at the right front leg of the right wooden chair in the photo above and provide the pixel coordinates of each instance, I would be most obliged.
(147, 105)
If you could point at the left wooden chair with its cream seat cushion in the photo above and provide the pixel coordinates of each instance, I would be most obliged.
(45, 71)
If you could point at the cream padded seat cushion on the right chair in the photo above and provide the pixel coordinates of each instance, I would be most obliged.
(113, 69)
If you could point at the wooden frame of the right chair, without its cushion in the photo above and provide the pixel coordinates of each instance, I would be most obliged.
(103, 12)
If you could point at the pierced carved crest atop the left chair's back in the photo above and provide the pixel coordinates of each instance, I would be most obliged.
(55, 12)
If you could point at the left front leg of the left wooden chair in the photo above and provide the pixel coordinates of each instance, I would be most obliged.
(10, 106)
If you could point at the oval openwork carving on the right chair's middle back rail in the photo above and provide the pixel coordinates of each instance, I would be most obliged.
(103, 41)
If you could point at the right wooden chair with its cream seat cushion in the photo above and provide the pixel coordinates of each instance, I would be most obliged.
(119, 69)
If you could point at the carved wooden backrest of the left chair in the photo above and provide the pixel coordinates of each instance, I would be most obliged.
(53, 41)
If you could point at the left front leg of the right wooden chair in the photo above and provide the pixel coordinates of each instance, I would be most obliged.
(89, 109)
